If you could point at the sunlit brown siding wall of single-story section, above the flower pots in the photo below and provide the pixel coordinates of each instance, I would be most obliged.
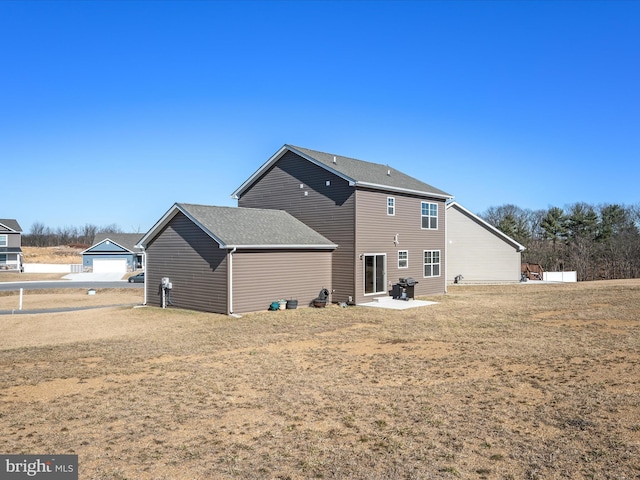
(261, 277)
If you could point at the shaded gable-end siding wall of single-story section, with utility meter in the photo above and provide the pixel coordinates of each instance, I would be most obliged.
(194, 263)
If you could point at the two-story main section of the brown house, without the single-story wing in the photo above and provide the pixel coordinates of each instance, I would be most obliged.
(387, 225)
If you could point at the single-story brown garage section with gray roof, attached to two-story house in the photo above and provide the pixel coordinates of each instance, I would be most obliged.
(234, 260)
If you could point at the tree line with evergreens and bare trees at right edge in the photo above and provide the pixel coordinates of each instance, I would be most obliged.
(599, 242)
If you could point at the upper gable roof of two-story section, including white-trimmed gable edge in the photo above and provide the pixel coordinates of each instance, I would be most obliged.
(357, 172)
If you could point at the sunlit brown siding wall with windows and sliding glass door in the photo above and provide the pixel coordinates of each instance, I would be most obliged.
(376, 231)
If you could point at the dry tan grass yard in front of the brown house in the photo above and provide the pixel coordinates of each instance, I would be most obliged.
(494, 382)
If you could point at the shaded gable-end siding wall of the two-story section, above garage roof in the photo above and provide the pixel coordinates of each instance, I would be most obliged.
(328, 209)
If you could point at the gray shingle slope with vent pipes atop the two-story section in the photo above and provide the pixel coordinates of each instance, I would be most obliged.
(369, 174)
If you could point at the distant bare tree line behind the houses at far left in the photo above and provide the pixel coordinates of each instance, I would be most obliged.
(41, 235)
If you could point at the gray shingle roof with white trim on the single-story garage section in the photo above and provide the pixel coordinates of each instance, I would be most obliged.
(233, 227)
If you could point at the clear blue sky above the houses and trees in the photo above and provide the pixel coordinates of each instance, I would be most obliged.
(112, 111)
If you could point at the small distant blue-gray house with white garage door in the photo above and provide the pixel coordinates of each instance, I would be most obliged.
(114, 252)
